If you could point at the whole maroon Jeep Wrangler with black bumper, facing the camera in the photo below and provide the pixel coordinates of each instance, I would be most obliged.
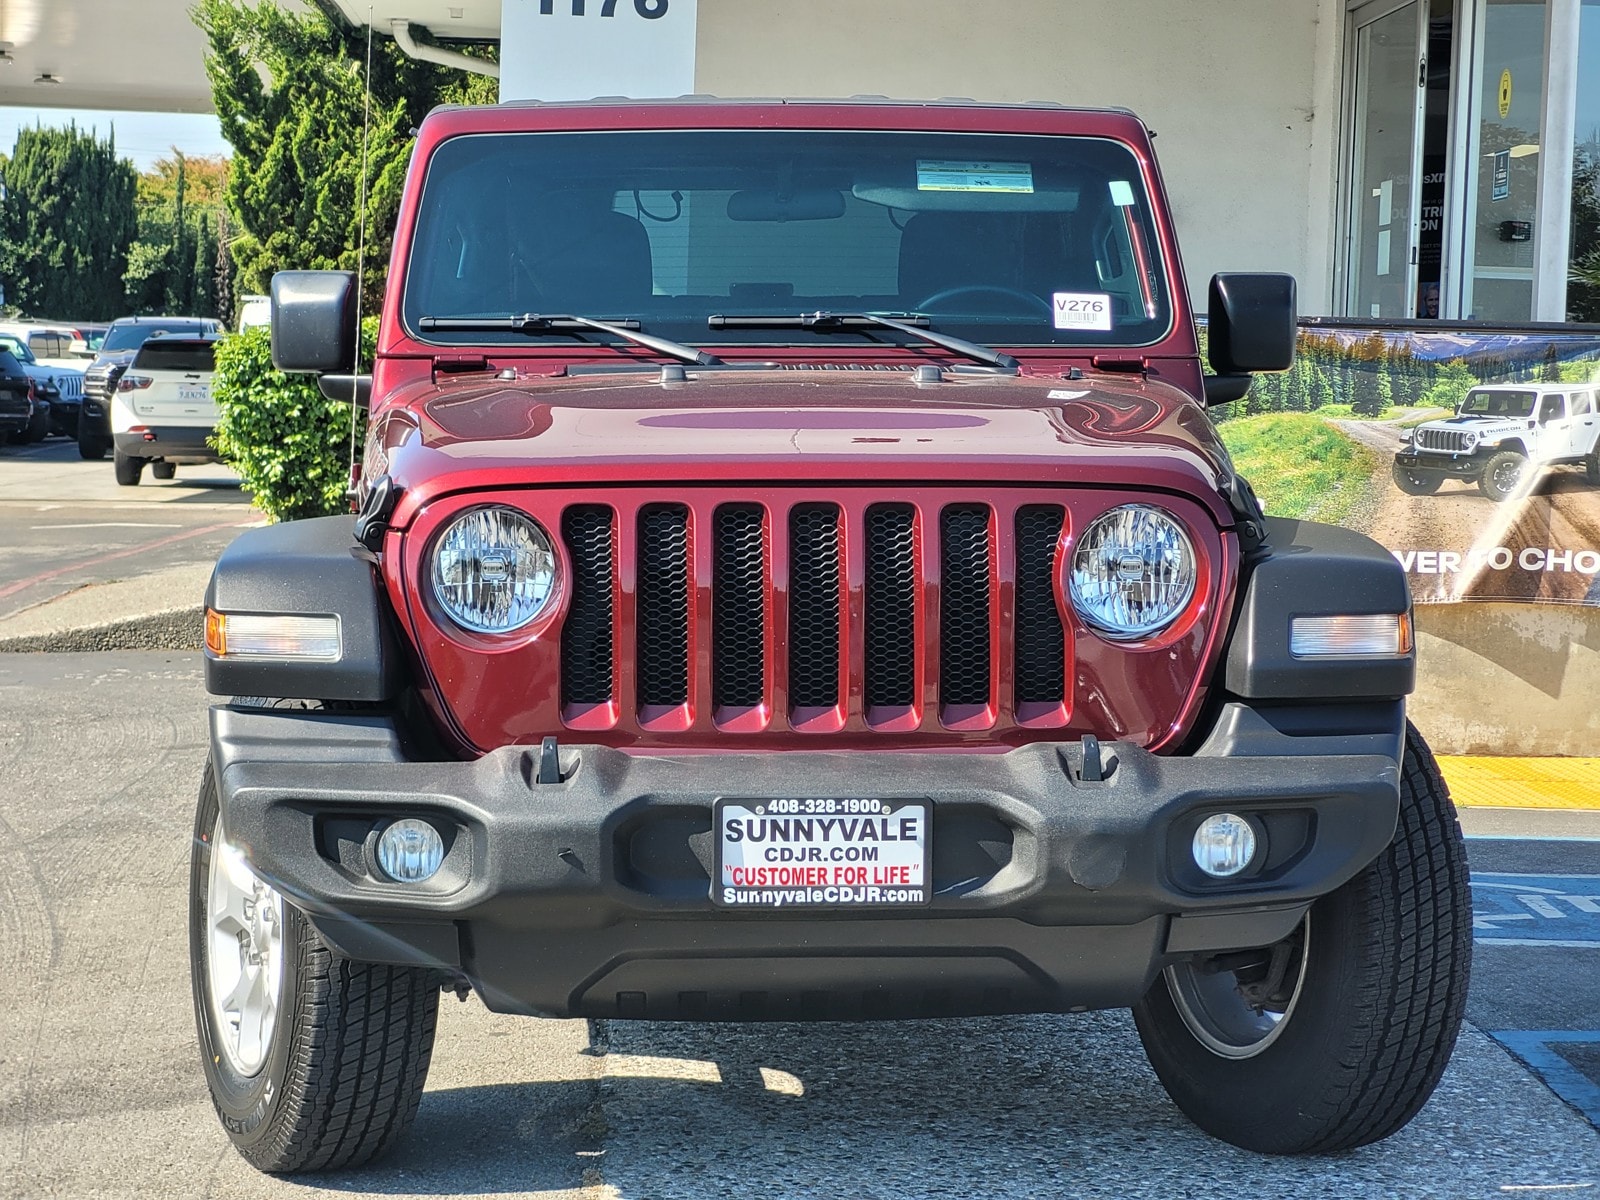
(796, 580)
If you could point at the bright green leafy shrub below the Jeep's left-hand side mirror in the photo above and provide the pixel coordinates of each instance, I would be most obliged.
(290, 444)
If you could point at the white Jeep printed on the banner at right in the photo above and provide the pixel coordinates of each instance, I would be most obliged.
(1500, 436)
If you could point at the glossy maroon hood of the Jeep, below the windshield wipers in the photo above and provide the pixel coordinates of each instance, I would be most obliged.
(798, 425)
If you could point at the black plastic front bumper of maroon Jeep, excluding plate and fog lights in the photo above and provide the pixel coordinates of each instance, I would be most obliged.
(591, 897)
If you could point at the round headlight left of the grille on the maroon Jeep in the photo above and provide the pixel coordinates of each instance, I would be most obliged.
(494, 570)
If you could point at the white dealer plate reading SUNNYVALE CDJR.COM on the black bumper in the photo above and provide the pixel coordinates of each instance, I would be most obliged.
(831, 854)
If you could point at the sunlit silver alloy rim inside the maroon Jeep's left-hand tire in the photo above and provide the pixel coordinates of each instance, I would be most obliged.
(244, 958)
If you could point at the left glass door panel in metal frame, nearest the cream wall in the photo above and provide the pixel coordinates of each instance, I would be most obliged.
(1388, 87)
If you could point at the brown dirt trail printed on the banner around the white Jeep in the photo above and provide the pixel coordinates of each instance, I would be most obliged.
(1562, 514)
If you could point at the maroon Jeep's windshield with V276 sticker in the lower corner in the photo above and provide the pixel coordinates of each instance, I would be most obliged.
(999, 239)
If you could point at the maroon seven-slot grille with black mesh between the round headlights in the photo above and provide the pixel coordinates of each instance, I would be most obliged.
(801, 615)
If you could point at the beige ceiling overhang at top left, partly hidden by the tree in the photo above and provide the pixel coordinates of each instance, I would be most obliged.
(150, 57)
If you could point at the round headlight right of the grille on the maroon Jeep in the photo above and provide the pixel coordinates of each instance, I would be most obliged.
(1132, 574)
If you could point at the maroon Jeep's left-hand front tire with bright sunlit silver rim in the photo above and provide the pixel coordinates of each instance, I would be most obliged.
(318, 1065)
